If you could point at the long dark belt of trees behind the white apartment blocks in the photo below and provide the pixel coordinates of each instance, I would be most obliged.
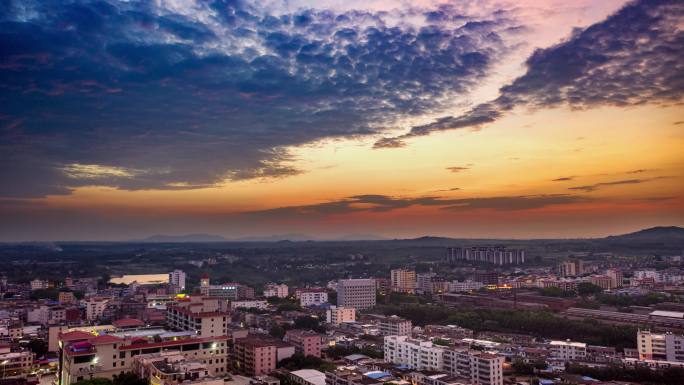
(538, 323)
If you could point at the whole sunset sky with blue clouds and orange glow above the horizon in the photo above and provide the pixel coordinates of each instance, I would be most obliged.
(502, 119)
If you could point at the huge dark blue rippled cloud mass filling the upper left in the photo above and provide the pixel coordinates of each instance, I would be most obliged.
(186, 97)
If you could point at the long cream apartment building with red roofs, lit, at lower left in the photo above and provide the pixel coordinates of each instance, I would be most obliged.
(83, 355)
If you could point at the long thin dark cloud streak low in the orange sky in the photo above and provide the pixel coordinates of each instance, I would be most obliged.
(384, 203)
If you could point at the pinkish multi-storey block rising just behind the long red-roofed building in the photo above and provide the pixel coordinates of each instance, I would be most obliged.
(206, 316)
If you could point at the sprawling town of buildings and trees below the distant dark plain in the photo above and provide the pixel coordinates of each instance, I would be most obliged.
(505, 321)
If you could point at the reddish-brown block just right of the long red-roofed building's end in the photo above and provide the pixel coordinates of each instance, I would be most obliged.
(255, 356)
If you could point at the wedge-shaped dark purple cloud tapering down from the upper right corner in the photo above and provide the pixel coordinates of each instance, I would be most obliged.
(631, 58)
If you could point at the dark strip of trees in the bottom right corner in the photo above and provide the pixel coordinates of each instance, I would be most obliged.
(640, 375)
